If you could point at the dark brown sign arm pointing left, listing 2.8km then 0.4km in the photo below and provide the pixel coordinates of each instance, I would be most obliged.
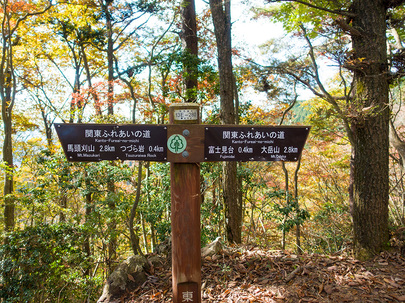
(96, 142)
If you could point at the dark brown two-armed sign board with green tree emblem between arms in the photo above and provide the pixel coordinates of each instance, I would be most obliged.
(181, 143)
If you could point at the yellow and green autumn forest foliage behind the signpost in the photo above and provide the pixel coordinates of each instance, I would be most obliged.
(65, 226)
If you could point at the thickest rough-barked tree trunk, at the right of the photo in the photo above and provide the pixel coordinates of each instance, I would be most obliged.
(370, 129)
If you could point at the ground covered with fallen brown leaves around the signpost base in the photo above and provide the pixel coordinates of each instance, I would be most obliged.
(256, 275)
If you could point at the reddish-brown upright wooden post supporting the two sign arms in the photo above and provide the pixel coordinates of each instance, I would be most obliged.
(185, 220)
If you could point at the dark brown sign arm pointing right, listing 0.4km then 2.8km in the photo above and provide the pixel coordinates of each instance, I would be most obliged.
(254, 143)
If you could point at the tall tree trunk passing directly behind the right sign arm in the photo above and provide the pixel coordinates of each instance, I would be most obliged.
(221, 17)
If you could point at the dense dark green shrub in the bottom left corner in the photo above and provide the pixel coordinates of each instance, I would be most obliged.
(39, 262)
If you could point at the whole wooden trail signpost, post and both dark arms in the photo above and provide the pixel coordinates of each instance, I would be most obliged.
(184, 143)
